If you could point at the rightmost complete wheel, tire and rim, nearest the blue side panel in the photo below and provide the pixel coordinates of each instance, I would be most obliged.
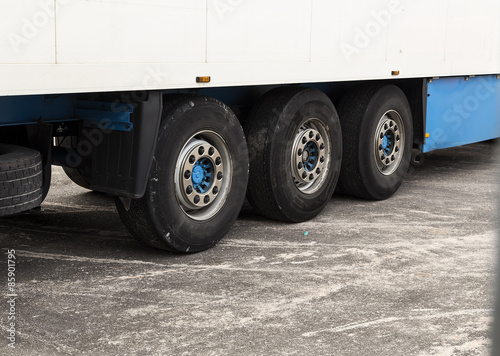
(377, 132)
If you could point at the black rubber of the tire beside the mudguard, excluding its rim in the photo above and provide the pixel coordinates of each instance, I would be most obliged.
(157, 219)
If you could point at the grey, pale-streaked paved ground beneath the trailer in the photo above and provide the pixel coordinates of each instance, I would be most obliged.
(412, 275)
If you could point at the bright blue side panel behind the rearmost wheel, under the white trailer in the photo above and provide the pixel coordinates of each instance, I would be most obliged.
(460, 112)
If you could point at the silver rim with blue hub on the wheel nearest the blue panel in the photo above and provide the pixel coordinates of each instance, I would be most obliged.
(389, 142)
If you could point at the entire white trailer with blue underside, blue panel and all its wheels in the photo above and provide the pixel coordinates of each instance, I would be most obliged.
(182, 108)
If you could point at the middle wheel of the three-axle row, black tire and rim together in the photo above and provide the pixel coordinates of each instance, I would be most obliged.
(295, 148)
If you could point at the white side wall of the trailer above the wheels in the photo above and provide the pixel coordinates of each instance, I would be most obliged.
(75, 46)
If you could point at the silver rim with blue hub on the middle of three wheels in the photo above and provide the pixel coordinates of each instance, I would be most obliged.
(310, 158)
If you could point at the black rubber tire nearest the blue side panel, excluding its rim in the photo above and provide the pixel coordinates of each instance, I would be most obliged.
(360, 111)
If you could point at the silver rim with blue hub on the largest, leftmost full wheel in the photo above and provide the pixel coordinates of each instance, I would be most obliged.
(203, 175)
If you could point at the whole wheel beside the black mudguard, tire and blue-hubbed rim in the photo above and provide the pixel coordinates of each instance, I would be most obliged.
(198, 180)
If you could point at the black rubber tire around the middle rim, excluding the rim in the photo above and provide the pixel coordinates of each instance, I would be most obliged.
(271, 129)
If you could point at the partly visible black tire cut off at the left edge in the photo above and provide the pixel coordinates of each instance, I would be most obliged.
(21, 179)
